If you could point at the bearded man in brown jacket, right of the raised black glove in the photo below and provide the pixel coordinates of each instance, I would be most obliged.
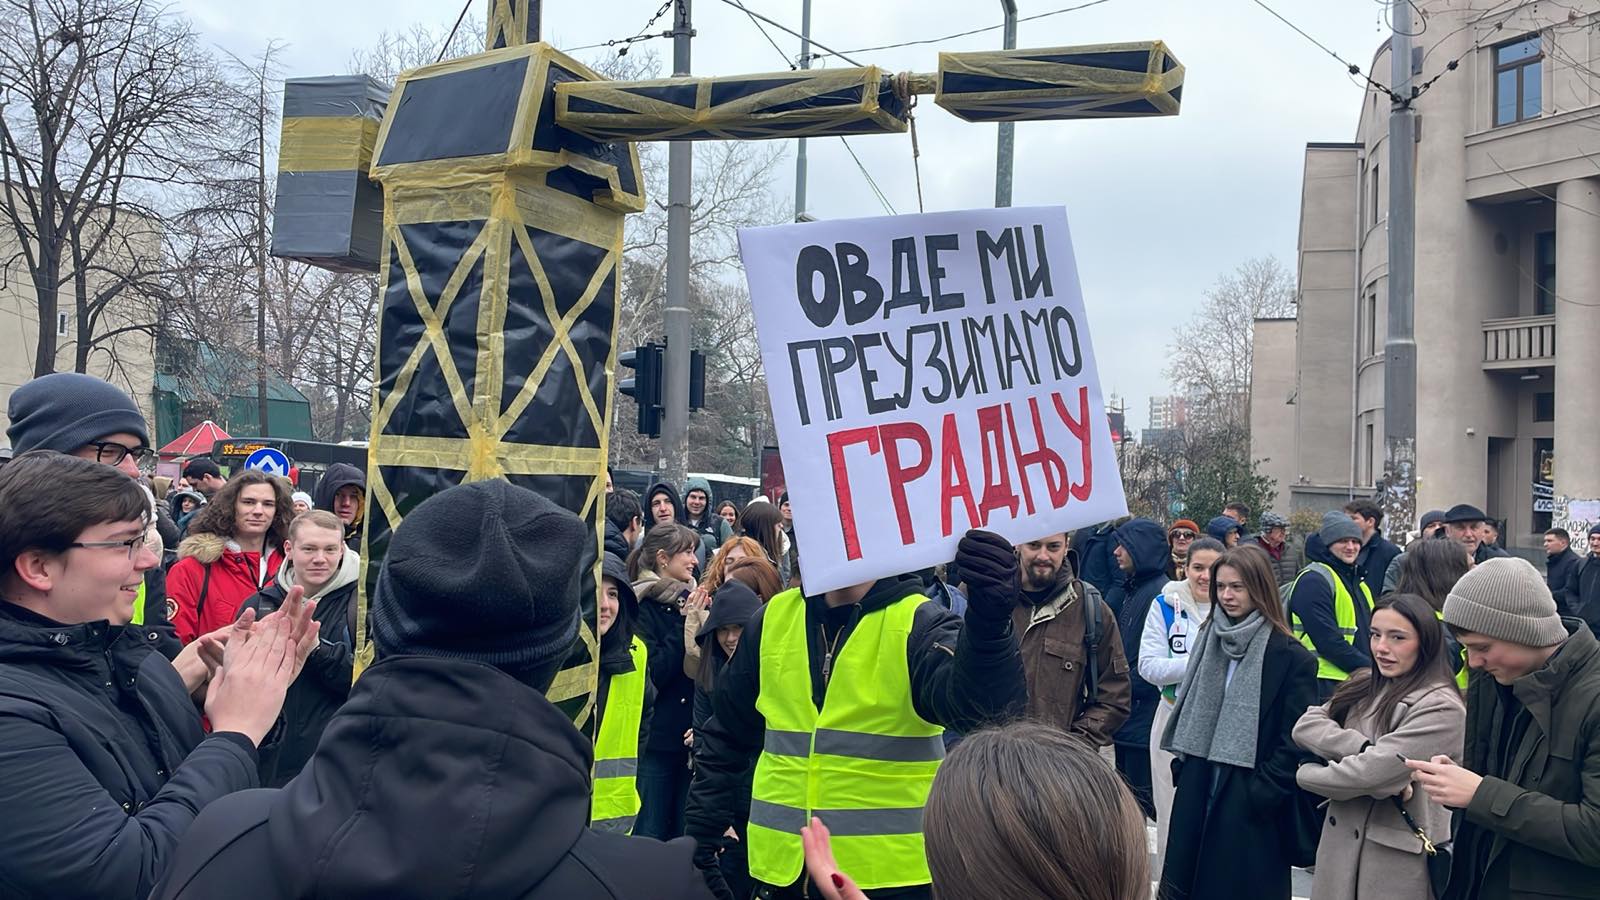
(1078, 672)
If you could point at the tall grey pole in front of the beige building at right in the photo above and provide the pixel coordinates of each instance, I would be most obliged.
(1399, 497)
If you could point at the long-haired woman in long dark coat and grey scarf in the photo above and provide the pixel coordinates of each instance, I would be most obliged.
(1246, 686)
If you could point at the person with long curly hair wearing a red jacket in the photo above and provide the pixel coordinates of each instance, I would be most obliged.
(234, 548)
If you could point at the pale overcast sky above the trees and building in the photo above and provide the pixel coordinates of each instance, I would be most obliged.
(1158, 207)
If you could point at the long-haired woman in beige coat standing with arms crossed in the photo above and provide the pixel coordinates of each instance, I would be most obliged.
(1406, 707)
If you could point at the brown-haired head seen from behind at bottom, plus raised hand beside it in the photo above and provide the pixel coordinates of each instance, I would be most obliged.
(1020, 813)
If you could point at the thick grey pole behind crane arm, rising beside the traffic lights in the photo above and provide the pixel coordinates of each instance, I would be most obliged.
(681, 180)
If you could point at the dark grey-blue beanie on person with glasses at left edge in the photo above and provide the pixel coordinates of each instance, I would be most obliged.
(66, 411)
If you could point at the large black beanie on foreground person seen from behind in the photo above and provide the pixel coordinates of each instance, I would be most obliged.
(486, 573)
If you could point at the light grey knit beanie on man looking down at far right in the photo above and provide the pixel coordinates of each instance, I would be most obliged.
(1506, 600)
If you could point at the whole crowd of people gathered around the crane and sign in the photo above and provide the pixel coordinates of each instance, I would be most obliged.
(178, 715)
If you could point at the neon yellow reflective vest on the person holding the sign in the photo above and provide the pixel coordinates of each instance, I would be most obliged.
(863, 765)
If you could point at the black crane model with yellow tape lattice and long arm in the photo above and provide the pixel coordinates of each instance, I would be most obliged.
(489, 195)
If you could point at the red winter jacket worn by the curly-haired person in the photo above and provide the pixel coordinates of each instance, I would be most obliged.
(236, 577)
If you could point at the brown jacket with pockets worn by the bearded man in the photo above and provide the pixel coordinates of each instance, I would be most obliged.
(1055, 661)
